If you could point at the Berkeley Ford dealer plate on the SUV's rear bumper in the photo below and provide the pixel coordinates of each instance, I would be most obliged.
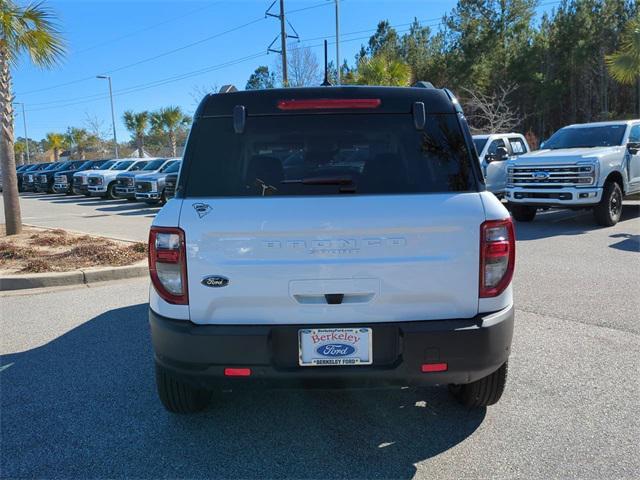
(335, 346)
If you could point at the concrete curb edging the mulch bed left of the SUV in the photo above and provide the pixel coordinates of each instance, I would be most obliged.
(76, 277)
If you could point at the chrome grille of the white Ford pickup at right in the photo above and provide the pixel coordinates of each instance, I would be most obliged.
(551, 177)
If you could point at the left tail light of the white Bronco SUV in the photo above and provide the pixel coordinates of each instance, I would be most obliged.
(168, 264)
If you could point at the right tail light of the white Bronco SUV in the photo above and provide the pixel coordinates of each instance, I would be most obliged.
(497, 256)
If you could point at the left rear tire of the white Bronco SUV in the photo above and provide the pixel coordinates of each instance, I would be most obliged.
(178, 396)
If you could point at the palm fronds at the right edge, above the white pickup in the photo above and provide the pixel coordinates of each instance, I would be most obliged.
(624, 65)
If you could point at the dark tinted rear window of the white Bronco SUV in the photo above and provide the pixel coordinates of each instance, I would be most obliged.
(327, 155)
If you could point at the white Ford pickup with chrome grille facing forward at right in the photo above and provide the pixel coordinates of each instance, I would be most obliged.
(591, 165)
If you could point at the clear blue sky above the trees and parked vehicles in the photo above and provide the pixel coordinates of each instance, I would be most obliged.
(163, 52)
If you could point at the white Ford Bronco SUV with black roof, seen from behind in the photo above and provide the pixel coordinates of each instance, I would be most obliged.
(392, 269)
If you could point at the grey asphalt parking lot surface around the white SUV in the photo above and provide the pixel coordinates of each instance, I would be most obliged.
(78, 396)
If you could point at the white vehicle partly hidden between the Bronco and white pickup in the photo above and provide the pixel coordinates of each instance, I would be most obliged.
(493, 152)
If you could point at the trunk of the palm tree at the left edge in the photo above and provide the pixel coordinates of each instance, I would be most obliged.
(10, 196)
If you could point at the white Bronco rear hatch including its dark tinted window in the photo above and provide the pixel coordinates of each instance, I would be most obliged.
(300, 212)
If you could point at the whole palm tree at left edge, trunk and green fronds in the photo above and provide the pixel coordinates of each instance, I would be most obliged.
(29, 31)
